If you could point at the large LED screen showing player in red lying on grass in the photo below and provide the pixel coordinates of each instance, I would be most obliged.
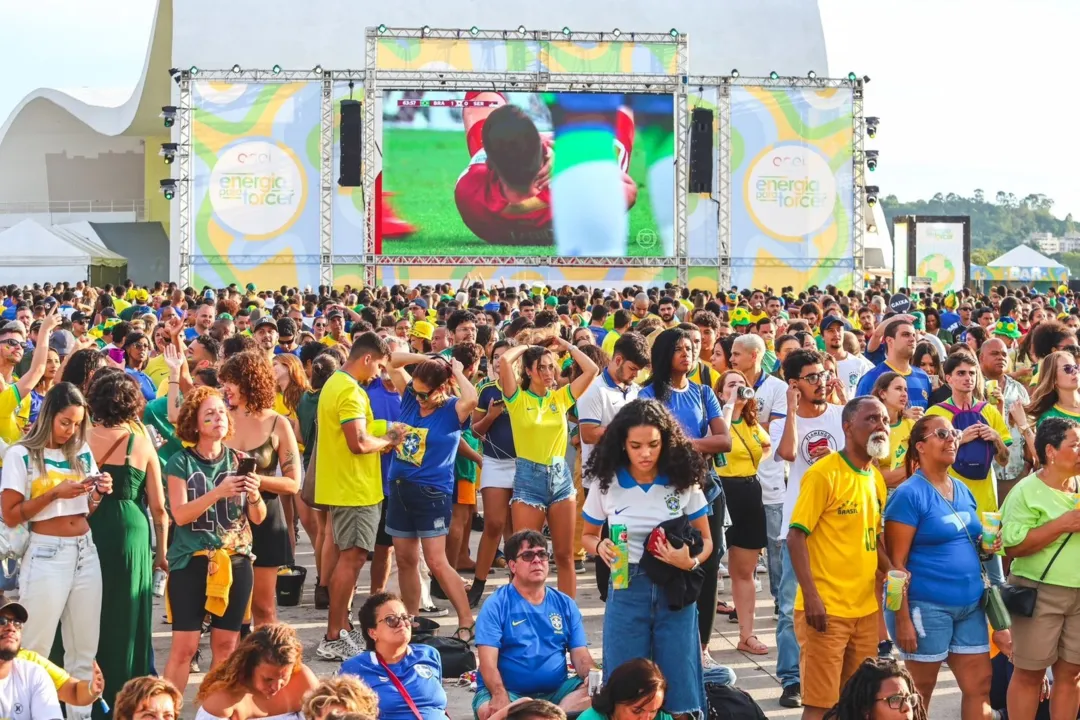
(528, 174)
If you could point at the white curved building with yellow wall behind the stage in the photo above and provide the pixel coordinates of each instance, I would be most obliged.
(67, 158)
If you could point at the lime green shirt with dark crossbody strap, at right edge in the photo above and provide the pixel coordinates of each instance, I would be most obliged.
(1033, 504)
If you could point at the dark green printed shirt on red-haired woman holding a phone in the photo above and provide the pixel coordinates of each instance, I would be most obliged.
(224, 525)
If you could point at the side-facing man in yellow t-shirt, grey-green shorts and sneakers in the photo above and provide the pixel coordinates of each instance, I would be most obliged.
(349, 482)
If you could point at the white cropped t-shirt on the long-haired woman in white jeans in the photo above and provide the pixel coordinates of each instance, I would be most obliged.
(19, 477)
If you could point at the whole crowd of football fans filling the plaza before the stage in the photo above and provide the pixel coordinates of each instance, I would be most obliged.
(904, 477)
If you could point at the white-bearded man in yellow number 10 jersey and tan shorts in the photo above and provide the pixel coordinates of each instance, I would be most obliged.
(835, 551)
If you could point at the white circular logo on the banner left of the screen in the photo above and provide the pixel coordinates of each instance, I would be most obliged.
(258, 188)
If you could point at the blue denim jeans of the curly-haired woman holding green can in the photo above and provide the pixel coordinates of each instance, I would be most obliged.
(667, 637)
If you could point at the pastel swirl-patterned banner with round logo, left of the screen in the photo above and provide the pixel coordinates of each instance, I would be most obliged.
(255, 184)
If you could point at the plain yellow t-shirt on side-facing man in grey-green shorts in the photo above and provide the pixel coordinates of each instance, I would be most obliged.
(343, 478)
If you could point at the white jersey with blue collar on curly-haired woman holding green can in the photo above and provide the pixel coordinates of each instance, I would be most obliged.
(642, 509)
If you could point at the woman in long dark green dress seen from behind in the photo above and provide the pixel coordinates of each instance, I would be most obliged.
(121, 532)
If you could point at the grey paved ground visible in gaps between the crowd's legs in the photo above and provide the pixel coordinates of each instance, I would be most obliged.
(757, 674)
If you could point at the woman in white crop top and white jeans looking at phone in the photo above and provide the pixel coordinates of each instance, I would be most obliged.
(51, 482)
